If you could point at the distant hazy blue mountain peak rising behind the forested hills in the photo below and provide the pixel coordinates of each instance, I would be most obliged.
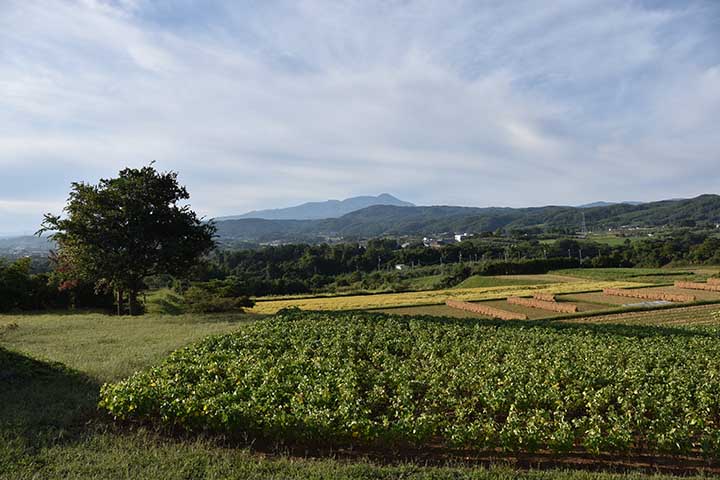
(320, 210)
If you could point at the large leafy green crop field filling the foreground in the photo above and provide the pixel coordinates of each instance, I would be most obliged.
(367, 379)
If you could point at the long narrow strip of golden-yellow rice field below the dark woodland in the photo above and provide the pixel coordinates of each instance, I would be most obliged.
(434, 297)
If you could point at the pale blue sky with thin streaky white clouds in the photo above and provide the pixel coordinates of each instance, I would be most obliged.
(265, 104)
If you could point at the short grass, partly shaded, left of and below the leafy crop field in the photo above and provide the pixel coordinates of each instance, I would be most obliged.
(50, 426)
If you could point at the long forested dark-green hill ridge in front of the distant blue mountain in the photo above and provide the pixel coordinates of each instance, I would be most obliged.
(392, 220)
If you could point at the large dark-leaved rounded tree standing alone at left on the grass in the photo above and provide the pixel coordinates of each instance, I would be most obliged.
(124, 229)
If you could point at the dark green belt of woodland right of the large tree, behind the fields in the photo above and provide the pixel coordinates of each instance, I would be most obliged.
(304, 268)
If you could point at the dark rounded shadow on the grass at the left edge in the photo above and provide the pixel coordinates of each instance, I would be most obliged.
(43, 403)
